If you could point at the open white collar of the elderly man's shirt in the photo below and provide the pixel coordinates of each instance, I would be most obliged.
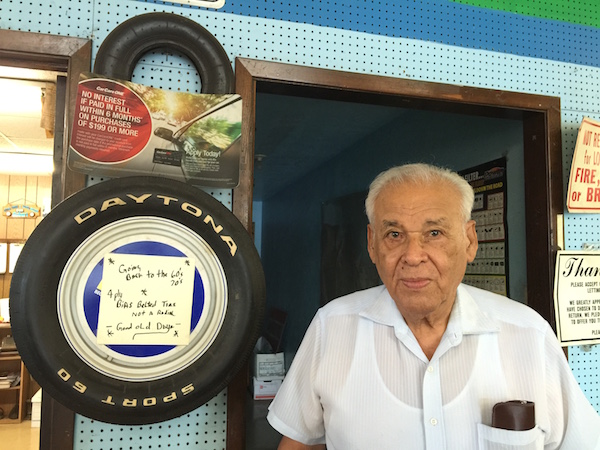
(466, 316)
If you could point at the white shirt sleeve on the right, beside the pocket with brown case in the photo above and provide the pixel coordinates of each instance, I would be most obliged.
(574, 423)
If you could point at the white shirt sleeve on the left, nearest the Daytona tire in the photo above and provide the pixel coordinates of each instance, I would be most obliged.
(296, 411)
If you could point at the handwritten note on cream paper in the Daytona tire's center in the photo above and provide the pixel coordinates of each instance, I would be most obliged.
(146, 300)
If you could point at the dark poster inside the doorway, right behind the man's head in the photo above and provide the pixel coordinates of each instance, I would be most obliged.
(489, 270)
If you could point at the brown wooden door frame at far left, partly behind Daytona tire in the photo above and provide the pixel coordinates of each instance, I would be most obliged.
(70, 56)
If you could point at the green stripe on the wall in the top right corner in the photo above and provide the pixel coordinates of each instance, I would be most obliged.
(581, 12)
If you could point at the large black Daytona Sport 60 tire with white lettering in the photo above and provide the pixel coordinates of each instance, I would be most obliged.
(54, 334)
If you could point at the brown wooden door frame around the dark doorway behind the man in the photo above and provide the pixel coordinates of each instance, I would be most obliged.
(542, 159)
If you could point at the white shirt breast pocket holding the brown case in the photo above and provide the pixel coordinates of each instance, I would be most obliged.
(498, 439)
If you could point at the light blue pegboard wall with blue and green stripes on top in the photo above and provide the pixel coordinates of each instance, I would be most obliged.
(543, 48)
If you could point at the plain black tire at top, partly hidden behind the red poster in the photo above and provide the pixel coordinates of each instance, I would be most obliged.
(129, 41)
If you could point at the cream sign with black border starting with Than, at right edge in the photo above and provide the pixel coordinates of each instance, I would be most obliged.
(577, 297)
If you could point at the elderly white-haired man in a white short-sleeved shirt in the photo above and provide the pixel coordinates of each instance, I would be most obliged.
(420, 362)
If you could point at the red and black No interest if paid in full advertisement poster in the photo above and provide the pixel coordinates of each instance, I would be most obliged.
(122, 128)
